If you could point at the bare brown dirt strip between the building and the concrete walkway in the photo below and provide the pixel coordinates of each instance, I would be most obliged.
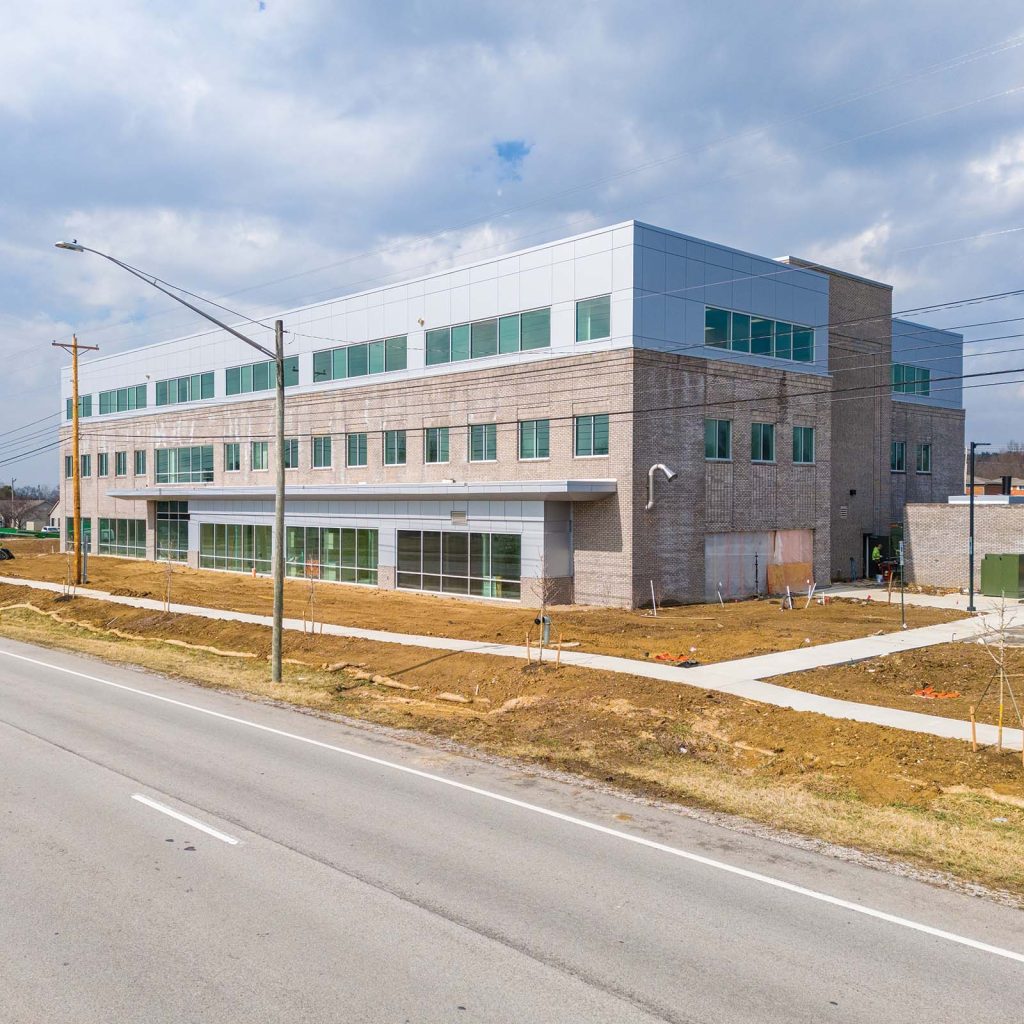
(706, 633)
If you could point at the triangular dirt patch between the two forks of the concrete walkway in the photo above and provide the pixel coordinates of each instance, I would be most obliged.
(962, 671)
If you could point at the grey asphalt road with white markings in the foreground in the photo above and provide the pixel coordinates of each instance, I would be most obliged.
(374, 880)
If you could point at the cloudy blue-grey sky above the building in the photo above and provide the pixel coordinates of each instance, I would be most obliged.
(273, 154)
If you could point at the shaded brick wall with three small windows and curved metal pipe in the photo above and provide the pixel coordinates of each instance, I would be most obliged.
(674, 397)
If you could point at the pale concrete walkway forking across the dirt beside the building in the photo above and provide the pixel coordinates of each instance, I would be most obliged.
(735, 678)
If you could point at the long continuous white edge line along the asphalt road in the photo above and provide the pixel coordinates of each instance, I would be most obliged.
(537, 809)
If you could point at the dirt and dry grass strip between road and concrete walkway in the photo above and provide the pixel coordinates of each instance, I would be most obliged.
(922, 799)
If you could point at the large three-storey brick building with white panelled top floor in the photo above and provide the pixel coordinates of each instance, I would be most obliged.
(492, 431)
